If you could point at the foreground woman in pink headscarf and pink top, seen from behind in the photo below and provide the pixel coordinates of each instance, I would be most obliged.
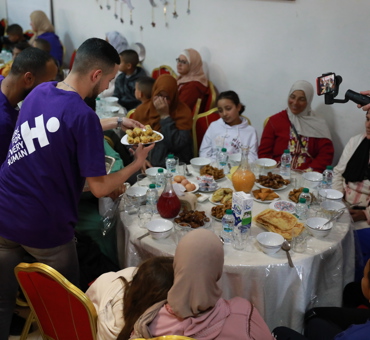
(194, 305)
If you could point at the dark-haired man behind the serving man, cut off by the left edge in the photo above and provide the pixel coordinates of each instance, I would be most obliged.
(30, 68)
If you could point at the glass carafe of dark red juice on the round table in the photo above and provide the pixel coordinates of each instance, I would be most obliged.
(169, 204)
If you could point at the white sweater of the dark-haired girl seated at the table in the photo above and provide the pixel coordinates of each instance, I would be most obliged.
(220, 135)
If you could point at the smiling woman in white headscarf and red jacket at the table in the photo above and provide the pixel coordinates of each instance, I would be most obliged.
(298, 129)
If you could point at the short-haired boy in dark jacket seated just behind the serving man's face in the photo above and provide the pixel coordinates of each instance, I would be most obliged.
(125, 83)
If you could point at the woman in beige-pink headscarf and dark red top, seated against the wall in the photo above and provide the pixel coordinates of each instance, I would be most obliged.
(192, 82)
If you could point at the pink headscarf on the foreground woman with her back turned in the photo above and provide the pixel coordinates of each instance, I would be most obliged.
(198, 265)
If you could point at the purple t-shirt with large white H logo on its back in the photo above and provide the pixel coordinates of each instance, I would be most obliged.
(57, 142)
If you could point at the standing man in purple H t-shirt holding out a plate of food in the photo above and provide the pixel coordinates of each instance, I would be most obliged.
(57, 144)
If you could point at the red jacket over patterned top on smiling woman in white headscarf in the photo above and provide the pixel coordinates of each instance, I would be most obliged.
(278, 136)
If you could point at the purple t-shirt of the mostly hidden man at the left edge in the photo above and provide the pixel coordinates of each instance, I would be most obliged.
(8, 118)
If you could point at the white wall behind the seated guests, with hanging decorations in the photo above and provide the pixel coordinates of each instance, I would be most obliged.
(256, 47)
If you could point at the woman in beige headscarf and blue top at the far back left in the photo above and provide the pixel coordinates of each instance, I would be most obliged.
(44, 29)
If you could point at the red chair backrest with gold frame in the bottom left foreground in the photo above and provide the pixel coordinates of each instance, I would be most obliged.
(62, 310)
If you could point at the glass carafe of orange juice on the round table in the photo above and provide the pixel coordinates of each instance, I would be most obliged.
(243, 178)
